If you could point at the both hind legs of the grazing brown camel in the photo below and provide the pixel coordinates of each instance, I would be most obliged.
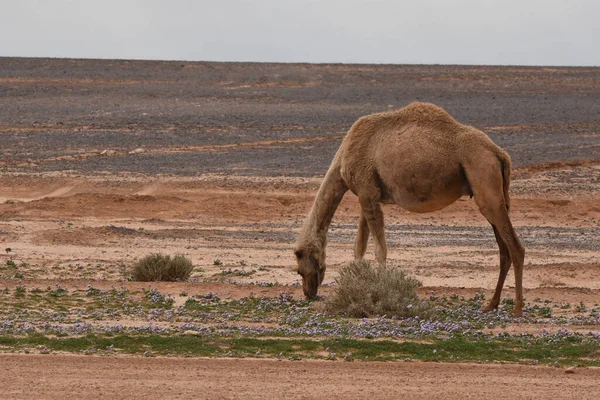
(487, 184)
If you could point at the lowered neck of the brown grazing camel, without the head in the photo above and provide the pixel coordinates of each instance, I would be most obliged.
(328, 198)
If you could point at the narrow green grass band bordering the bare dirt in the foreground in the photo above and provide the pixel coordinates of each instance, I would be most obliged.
(451, 350)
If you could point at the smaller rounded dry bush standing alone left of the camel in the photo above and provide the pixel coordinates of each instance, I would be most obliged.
(160, 267)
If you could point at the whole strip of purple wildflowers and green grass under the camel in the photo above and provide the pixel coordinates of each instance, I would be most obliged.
(295, 329)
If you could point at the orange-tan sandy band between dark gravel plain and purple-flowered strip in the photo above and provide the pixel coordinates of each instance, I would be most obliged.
(76, 228)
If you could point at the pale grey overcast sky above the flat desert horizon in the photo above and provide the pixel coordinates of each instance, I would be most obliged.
(522, 32)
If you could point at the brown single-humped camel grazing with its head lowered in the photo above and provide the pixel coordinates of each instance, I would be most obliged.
(423, 160)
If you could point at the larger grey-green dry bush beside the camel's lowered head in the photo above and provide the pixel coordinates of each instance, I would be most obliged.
(364, 291)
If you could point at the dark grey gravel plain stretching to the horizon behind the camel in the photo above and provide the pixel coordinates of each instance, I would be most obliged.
(192, 118)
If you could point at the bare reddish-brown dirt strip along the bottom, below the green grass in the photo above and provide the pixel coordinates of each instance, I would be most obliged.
(87, 377)
